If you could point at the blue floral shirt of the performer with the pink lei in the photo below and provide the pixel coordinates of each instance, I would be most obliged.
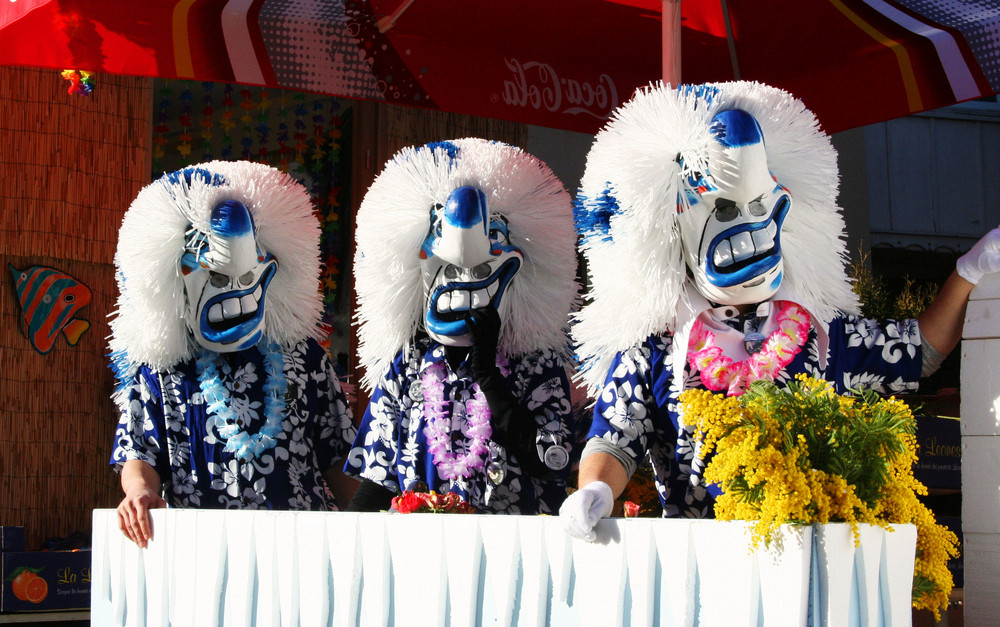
(636, 410)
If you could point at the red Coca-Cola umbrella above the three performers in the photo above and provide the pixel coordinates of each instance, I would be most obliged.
(558, 63)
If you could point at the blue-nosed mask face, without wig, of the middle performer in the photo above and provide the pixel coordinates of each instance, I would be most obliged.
(470, 262)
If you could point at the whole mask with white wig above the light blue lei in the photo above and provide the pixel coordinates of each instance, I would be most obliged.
(195, 244)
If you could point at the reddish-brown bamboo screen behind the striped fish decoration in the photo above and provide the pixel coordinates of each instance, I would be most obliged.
(72, 164)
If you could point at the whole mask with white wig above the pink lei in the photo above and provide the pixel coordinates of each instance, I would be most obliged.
(679, 179)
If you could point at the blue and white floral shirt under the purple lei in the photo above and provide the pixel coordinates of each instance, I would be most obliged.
(391, 447)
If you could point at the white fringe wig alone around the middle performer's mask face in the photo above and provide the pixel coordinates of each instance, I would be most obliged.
(394, 219)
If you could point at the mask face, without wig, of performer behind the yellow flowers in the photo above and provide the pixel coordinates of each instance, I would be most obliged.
(731, 233)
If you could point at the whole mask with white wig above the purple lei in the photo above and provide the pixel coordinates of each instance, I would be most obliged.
(454, 226)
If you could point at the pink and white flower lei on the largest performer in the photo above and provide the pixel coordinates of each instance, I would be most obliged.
(719, 372)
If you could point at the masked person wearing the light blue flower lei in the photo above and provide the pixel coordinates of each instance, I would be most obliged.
(227, 399)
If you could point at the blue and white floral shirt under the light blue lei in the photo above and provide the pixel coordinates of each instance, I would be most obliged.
(166, 426)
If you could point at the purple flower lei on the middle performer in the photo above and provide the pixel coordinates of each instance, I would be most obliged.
(438, 429)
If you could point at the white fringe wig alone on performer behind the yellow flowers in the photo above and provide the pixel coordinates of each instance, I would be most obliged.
(634, 186)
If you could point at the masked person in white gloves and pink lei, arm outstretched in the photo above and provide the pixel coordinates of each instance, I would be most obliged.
(716, 253)
